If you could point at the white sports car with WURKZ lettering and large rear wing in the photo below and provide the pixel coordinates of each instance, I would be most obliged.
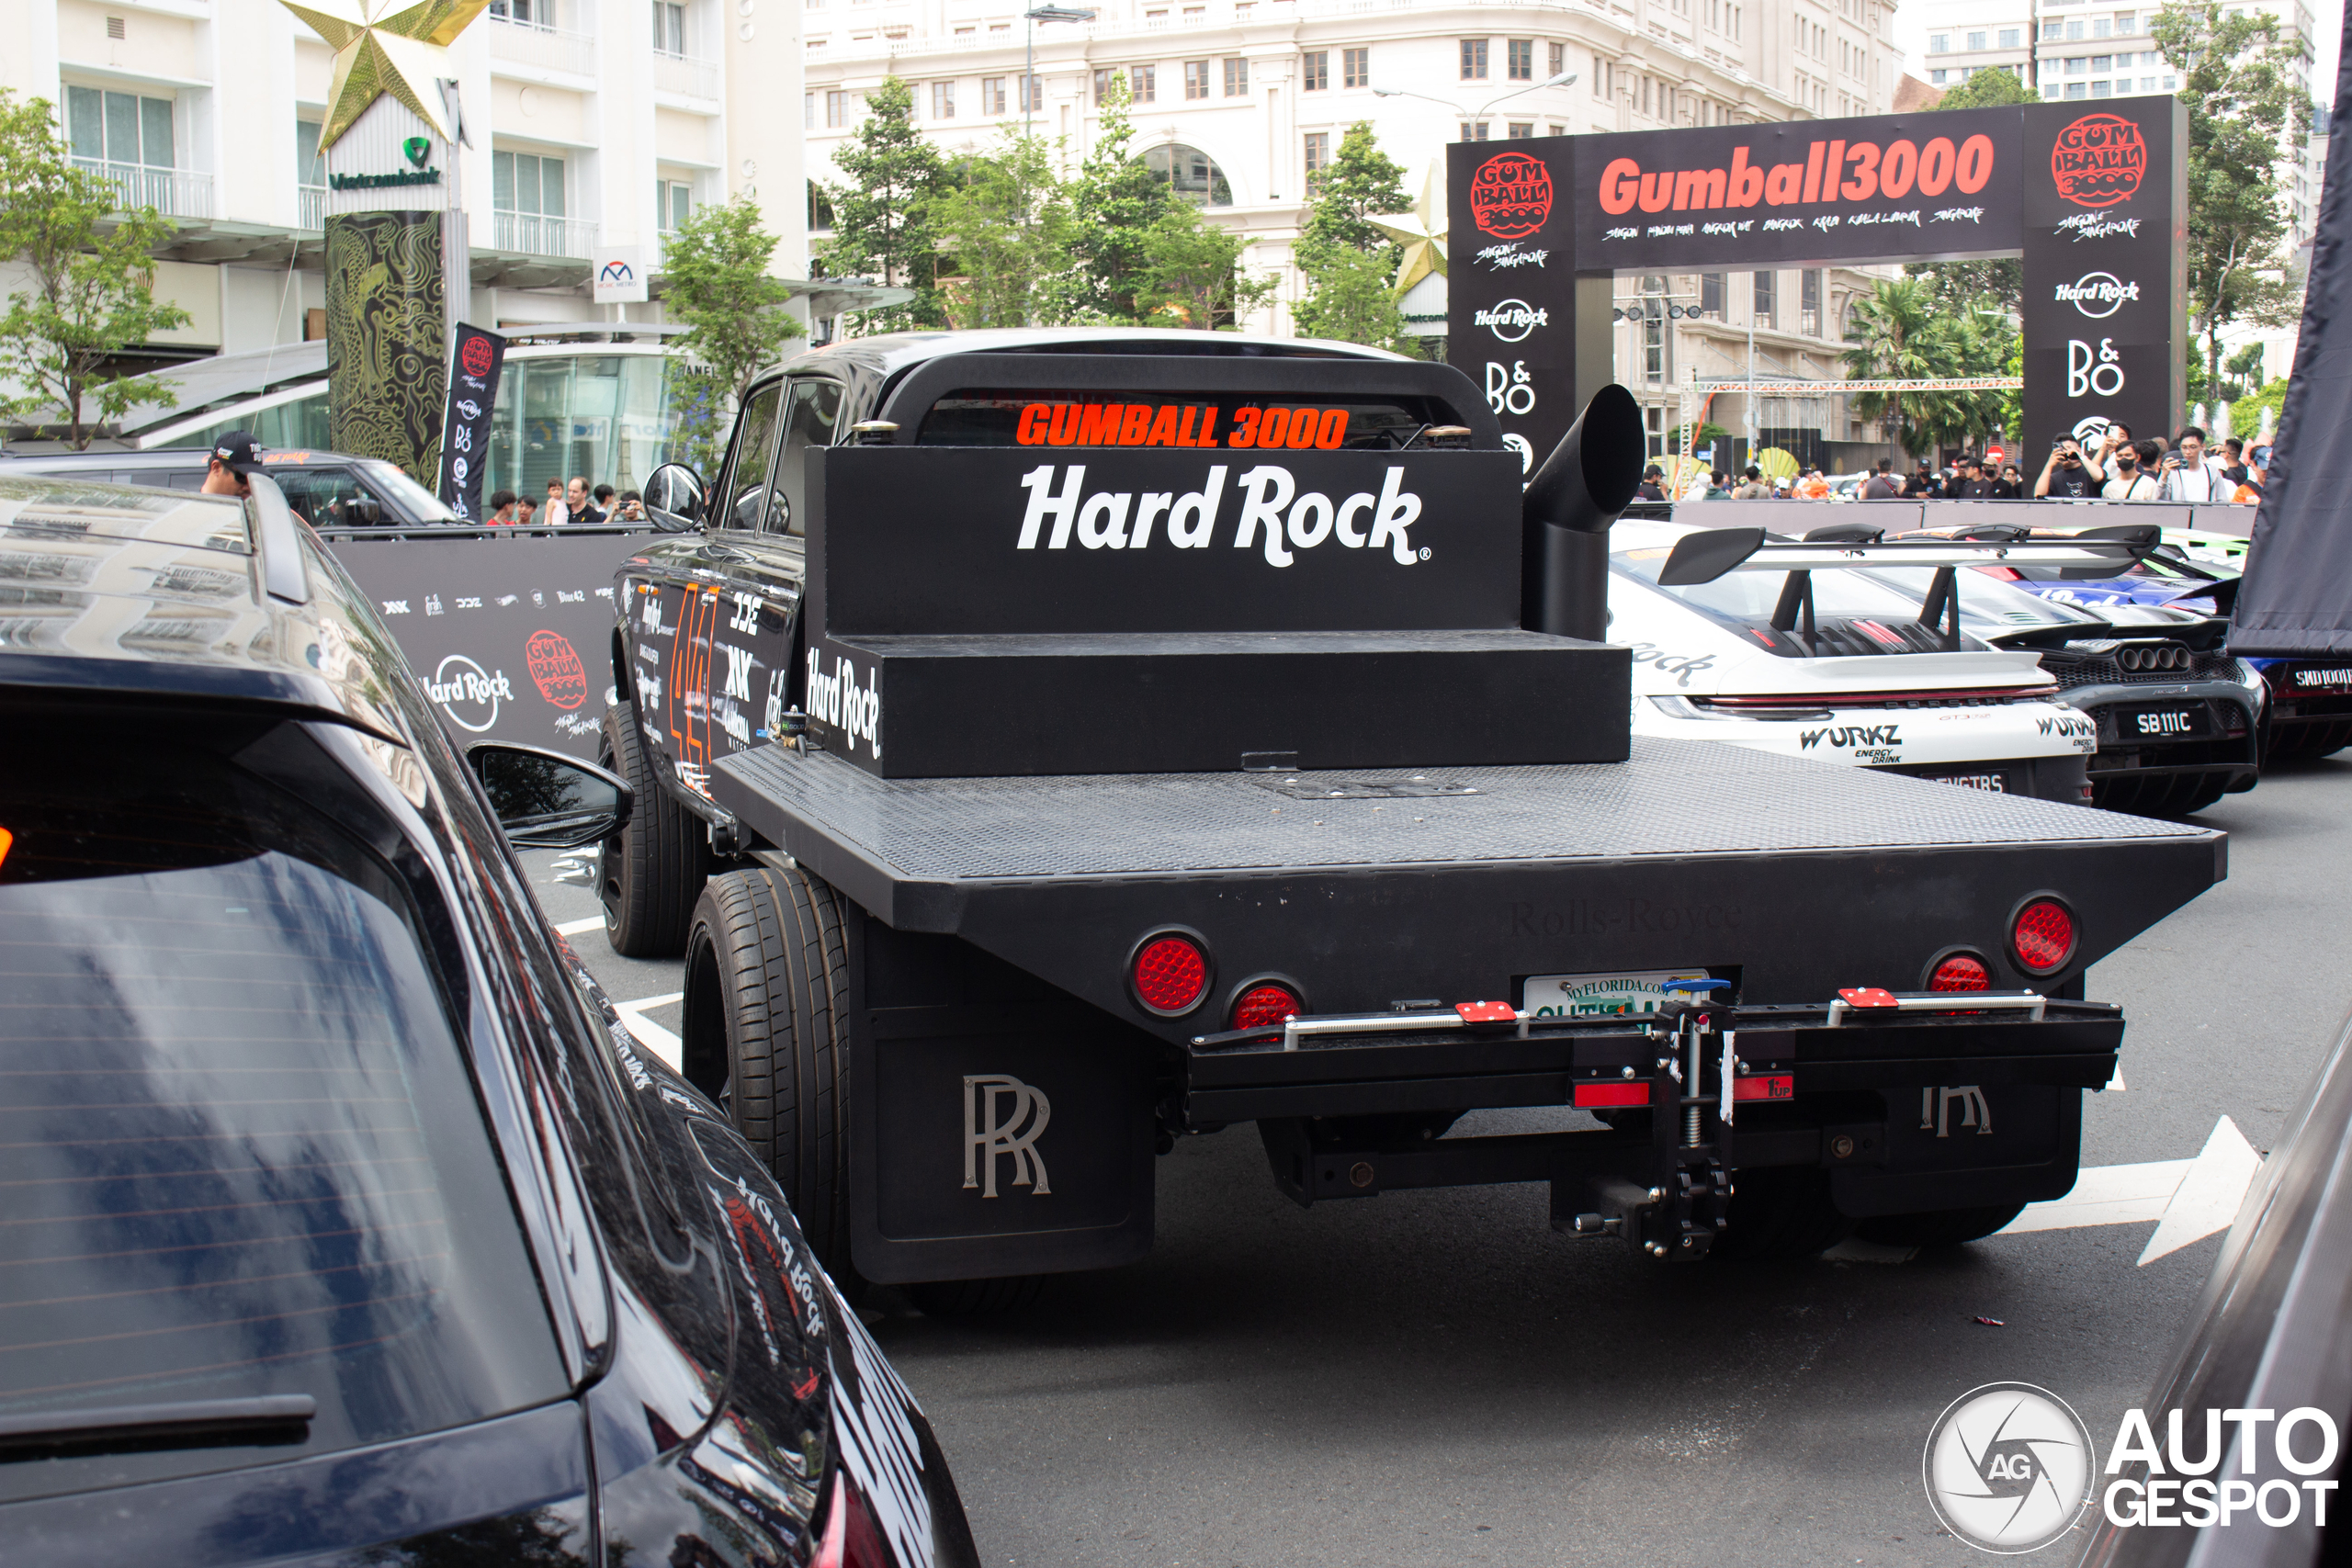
(1857, 664)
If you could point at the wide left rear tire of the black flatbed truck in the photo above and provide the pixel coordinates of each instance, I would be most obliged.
(766, 977)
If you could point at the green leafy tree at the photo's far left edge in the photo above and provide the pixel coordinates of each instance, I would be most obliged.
(93, 283)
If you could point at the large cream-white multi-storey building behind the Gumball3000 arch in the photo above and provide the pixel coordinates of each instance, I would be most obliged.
(1248, 98)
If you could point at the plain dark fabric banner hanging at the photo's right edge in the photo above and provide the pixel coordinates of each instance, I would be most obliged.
(2297, 598)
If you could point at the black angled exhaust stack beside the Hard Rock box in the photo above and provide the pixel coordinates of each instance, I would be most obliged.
(1568, 511)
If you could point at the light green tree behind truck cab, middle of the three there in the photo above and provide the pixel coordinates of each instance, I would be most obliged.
(1005, 239)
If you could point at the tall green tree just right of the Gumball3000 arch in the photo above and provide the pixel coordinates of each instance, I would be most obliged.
(2238, 86)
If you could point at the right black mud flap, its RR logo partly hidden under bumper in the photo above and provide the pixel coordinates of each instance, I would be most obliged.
(1960, 1146)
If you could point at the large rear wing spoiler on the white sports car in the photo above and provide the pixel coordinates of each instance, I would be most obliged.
(1704, 558)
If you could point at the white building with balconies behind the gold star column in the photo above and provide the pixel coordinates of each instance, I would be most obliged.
(592, 121)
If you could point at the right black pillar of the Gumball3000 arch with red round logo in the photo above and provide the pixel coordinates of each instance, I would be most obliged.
(2106, 269)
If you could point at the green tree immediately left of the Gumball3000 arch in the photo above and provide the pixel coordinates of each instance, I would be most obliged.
(1347, 262)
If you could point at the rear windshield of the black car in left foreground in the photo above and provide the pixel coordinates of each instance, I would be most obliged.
(241, 1153)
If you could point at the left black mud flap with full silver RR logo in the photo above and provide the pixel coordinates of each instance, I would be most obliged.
(996, 1127)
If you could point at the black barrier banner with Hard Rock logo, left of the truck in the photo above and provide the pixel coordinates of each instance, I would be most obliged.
(507, 634)
